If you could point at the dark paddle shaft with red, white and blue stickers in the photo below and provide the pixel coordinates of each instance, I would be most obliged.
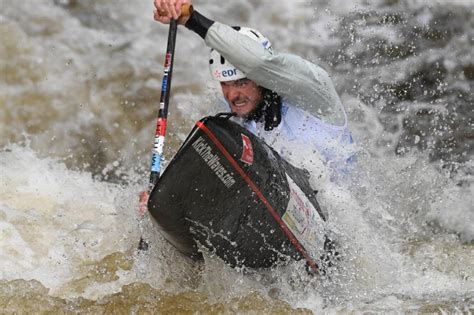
(161, 122)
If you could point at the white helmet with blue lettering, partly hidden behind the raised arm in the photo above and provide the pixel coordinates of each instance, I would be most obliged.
(222, 70)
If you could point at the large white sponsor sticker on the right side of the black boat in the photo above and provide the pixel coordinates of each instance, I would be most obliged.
(303, 219)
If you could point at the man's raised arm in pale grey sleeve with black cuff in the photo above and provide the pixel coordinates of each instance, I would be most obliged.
(296, 79)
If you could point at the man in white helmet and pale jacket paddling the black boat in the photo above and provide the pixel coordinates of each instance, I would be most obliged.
(271, 92)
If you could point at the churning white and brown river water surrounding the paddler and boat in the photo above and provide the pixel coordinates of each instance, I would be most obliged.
(80, 83)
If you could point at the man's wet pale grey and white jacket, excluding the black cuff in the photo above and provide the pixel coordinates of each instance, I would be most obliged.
(303, 86)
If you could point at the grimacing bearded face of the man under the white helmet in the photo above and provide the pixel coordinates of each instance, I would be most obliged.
(242, 95)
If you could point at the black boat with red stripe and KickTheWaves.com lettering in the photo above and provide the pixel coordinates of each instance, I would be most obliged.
(227, 191)
